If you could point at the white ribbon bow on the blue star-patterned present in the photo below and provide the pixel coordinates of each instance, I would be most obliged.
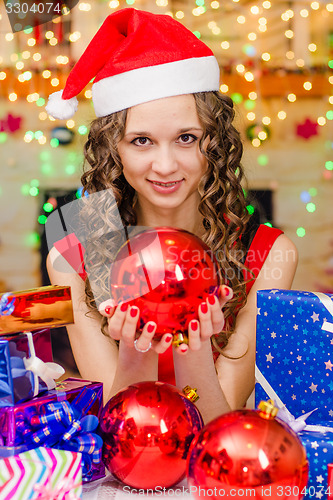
(297, 424)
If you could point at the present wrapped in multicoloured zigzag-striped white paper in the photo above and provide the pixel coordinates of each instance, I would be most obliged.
(41, 473)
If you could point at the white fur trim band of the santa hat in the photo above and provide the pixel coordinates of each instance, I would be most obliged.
(187, 76)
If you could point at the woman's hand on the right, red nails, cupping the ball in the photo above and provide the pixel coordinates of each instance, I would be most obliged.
(211, 321)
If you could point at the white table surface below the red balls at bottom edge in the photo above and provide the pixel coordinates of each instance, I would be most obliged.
(109, 488)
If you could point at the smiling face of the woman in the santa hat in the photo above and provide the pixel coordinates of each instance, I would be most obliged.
(160, 152)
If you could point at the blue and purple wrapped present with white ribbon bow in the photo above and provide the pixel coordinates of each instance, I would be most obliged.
(26, 367)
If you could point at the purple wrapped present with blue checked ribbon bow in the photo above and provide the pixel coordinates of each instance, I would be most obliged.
(64, 418)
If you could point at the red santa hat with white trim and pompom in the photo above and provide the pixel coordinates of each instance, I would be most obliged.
(136, 57)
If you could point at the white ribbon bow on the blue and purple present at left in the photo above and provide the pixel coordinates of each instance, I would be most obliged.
(48, 371)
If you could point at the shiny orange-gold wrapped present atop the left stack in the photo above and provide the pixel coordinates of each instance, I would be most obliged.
(27, 310)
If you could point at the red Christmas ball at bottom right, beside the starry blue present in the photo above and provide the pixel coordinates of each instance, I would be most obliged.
(246, 453)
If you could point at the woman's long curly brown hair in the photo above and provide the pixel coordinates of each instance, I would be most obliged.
(222, 204)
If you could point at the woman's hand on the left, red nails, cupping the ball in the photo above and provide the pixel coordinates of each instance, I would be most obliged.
(122, 326)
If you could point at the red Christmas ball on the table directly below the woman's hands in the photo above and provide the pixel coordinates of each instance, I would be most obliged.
(147, 429)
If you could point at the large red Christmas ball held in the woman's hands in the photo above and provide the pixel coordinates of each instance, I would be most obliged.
(166, 273)
